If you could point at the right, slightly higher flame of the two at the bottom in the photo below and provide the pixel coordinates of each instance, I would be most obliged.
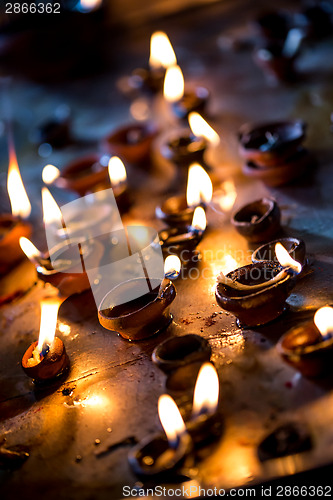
(206, 392)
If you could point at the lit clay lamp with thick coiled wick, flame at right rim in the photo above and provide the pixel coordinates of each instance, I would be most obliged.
(256, 294)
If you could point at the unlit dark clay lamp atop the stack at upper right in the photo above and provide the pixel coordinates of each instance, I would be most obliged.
(270, 144)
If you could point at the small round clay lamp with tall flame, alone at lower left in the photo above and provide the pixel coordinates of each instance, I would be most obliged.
(46, 359)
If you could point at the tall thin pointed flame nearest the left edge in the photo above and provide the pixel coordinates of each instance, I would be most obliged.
(17, 194)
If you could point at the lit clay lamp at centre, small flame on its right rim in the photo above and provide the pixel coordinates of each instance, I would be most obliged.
(148, 313)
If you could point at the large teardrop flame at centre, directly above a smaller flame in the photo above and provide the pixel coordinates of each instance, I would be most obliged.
(199, 186)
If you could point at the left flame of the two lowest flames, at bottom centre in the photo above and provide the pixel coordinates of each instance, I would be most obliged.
(171, 419)
